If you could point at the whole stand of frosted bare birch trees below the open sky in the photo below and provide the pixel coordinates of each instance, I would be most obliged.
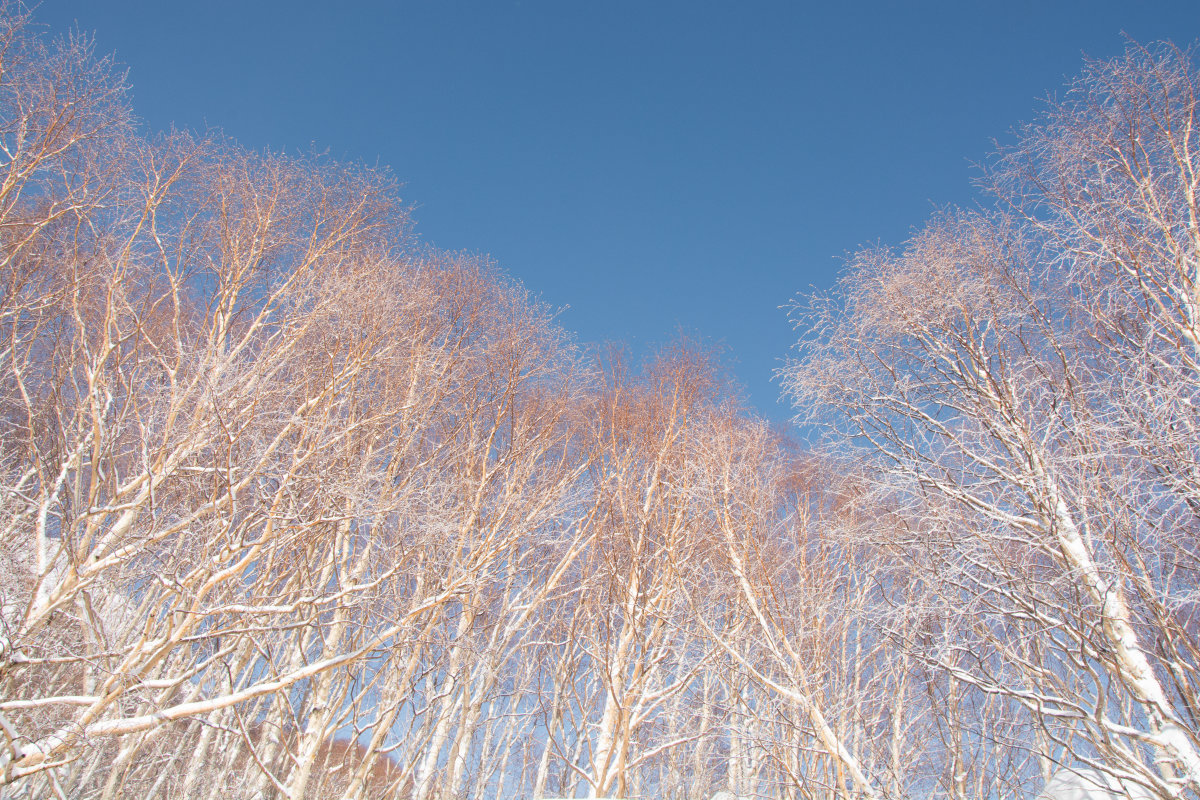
(293, 506)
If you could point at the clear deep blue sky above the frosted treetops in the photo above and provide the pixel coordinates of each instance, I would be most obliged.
(647, 167)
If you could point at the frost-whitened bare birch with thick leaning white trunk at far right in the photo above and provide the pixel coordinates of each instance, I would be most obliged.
(1021, 383)
